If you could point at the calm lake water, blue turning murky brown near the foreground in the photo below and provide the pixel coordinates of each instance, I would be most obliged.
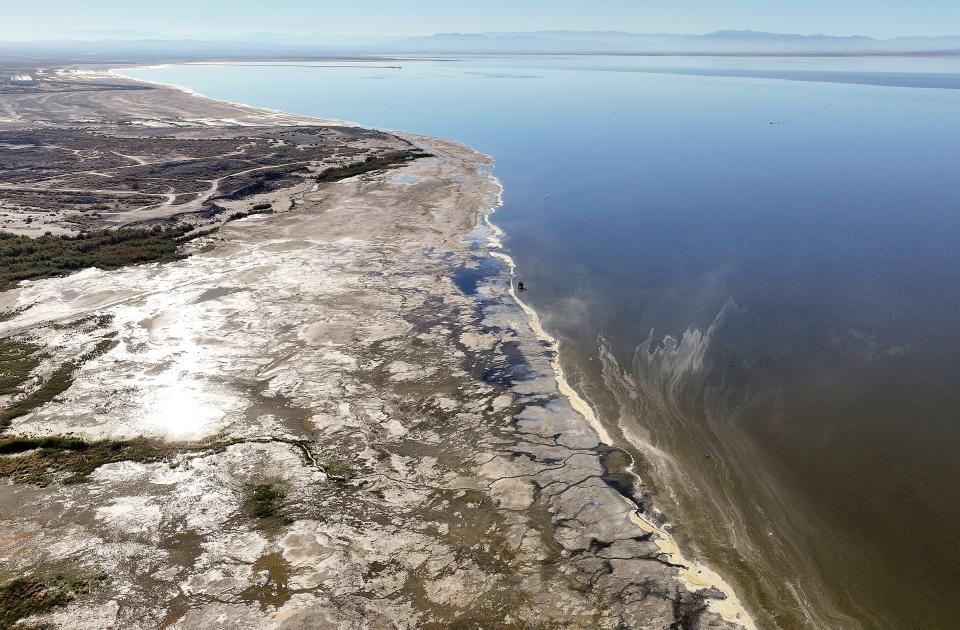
(754, 269)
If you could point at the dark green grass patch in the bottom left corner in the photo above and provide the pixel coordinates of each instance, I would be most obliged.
(28, 596)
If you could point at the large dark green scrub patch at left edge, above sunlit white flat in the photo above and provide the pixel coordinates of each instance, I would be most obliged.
(25, 258)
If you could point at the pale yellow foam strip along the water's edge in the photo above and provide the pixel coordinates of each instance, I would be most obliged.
(695, 576)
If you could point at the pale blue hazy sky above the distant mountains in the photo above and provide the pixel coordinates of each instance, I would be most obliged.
(883, 18)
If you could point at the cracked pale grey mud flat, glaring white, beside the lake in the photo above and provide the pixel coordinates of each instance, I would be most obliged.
(431, 474)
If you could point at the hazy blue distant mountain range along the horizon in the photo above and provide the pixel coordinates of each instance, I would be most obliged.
(728, 42)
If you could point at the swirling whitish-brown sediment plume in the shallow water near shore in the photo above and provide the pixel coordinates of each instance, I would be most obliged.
(733, 502)
